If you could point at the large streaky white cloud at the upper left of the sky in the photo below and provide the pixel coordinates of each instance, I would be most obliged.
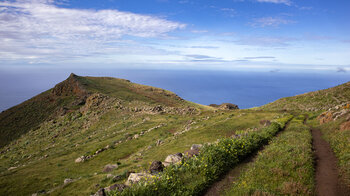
(34, 29)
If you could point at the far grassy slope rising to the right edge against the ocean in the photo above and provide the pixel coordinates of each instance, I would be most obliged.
(313, 101)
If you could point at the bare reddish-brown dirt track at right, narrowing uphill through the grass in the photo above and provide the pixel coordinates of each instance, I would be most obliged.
(327, 180)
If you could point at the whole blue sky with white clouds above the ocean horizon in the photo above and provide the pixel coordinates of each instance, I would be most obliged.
(268, 35)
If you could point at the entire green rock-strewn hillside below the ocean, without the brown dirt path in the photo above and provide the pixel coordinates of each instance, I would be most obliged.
(61, 141)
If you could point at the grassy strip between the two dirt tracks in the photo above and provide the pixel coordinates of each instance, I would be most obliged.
(285, 167)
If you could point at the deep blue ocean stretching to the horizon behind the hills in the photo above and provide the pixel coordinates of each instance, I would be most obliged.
(246, 89)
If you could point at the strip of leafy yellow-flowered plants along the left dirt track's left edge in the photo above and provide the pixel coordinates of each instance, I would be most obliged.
(193, 176)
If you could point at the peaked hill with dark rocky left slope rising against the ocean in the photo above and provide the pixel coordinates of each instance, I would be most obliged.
(71, 95)
